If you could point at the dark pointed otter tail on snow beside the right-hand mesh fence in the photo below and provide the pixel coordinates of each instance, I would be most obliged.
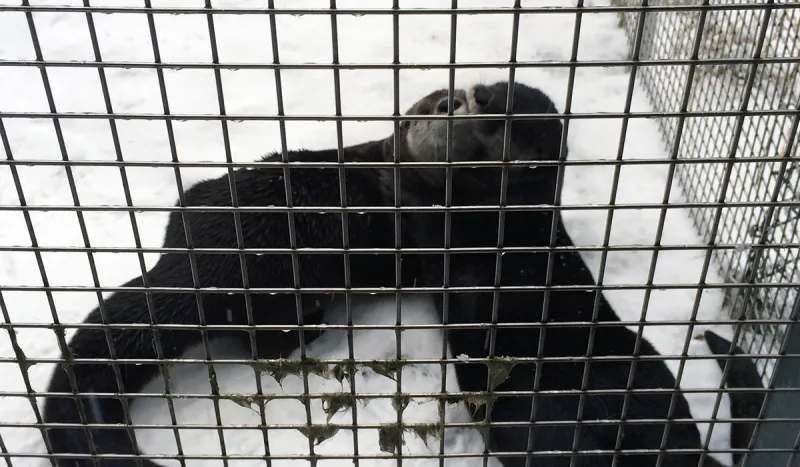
(742, 374)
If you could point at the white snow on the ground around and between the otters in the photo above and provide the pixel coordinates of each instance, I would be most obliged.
(307, 39)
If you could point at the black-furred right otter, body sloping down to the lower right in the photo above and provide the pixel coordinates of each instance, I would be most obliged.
(542, 138)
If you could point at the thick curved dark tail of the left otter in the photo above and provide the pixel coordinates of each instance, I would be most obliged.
(90, 394)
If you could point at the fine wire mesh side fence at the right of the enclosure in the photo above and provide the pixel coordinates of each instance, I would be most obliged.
(709, 38)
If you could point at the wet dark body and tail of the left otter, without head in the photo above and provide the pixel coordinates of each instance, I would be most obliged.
(254, 187)
